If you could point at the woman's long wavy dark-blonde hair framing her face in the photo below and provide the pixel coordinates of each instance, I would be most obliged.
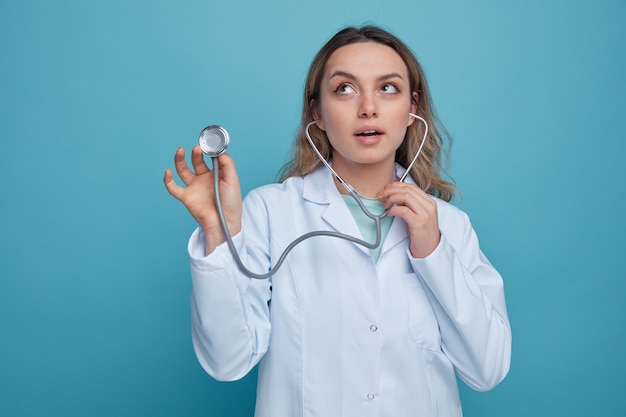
(430, 167)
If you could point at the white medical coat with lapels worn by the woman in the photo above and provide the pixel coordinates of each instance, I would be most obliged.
(336, 334)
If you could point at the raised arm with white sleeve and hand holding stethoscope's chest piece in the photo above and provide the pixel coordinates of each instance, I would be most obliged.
(230, 313)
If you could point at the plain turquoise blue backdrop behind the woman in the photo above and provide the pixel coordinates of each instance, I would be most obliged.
(95, 97)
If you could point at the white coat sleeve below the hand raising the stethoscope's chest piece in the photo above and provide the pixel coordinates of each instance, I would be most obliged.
(230, 312)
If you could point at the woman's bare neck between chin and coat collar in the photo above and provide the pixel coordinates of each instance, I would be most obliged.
(366, 180)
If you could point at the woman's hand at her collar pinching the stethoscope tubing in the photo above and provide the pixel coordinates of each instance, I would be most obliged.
(418, 210)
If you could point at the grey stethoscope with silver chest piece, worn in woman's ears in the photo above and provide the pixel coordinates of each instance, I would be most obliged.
(214, 140)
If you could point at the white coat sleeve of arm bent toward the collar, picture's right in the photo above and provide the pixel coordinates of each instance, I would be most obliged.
(467, 297)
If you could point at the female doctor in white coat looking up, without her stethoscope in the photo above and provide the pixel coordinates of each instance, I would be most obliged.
(341, 330)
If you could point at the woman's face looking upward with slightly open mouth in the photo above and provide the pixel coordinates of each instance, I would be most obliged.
(365, 100)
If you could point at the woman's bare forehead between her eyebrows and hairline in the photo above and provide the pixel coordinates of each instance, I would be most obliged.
(366, 57)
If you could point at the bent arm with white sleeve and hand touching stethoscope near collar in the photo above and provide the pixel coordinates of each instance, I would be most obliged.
(464, 289)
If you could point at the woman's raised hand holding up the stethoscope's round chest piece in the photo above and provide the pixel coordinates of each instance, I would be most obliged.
(198, 195)
